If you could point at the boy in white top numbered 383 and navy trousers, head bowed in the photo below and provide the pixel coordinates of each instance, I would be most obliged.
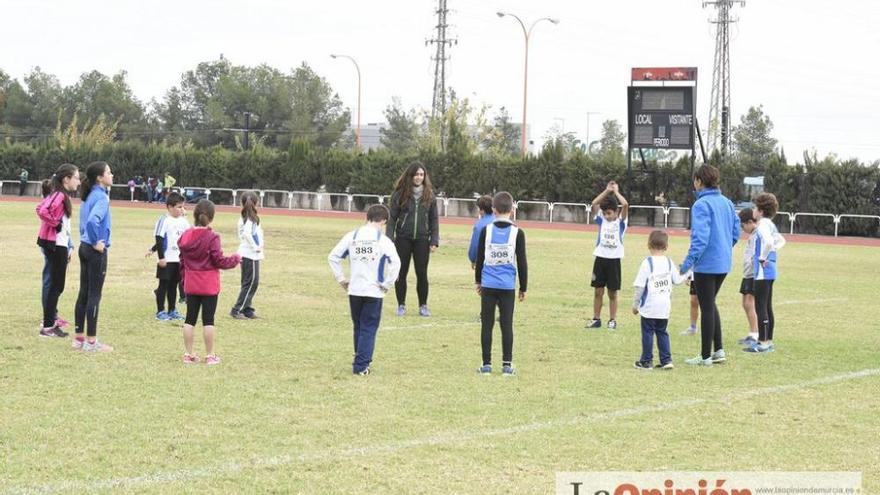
(374, 268)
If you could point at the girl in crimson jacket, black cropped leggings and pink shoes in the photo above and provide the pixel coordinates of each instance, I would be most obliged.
(201, 259)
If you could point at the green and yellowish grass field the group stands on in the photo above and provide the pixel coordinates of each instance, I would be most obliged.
(283, 414)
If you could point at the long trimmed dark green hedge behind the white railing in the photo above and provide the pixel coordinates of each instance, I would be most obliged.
(828, 186)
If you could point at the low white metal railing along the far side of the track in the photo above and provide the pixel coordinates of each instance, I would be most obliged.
(542, 211)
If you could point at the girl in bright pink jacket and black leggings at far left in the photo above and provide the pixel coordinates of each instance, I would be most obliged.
(55, 241)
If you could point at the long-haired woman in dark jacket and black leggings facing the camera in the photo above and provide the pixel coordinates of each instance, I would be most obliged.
(414, 227)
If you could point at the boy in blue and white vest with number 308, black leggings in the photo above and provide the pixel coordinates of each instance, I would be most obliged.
(501, 255)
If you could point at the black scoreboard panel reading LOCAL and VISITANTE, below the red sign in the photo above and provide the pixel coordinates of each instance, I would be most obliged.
(661, 117)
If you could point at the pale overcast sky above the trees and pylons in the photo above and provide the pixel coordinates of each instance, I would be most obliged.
(813, 65)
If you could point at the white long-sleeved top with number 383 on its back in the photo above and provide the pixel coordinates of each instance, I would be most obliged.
(373, 259)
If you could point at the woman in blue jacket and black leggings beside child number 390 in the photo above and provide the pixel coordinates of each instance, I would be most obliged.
(714, 231)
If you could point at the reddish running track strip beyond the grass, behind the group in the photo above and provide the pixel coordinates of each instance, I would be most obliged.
(818, 239)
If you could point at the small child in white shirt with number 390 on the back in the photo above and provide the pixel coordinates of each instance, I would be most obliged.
(653, 300)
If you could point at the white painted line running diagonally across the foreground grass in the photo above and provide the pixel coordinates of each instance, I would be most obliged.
(84, 486)
